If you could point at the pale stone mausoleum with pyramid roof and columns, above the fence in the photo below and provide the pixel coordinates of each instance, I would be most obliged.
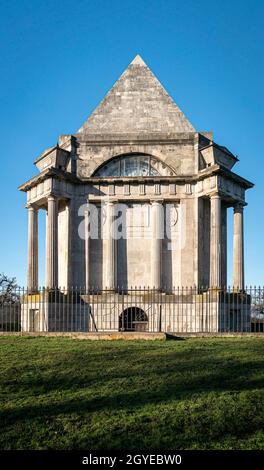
(184, 174)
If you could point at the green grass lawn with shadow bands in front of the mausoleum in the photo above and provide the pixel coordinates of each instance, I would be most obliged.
(59, 393)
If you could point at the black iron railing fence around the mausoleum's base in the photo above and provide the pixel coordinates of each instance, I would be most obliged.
(177, 310)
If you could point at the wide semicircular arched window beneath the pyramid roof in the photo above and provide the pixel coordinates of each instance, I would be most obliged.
(136, 164)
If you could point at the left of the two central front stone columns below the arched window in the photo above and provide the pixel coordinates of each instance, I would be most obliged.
(110, 248)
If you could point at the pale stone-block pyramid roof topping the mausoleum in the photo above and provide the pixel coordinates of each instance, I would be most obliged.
(137, 104)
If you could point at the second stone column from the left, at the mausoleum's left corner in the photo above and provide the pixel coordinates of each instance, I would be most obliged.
(52, 243)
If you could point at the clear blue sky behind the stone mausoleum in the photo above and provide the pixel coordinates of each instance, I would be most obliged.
(59, 58)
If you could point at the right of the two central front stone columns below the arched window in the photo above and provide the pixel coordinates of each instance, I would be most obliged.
(157, 224)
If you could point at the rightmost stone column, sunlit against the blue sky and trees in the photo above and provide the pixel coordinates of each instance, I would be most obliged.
(238, 255)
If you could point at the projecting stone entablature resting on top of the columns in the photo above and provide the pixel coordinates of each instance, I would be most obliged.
(65, 185)
